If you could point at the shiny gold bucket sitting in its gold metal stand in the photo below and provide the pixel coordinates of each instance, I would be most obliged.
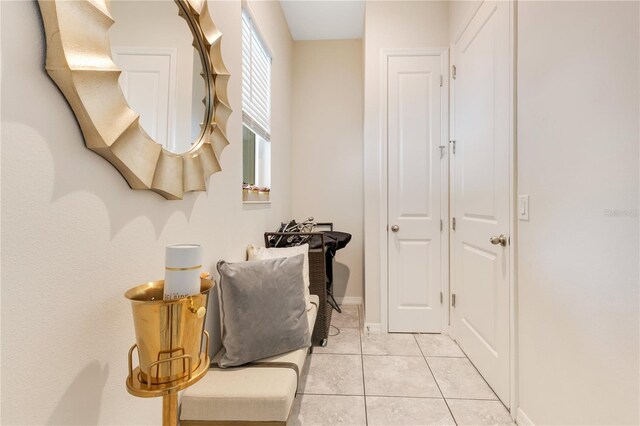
(168, 343)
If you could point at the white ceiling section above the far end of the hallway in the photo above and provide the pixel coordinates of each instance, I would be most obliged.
(324, 20)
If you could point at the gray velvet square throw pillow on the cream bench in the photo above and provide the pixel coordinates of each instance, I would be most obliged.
(263, 309)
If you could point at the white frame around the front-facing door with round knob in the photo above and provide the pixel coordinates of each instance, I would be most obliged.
(385, 54)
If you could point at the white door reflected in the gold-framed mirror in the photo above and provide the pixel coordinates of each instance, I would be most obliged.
(148, 83)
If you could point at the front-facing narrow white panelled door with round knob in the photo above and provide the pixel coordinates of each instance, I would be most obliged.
(415, 131)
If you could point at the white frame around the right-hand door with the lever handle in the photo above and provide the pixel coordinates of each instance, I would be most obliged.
(513, 193)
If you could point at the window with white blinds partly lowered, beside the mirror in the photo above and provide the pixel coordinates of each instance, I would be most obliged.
(256, 113)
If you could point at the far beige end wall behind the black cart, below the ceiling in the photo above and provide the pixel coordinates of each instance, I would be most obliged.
(327, 130)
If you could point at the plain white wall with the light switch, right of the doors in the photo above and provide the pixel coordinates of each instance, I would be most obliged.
(578, 146)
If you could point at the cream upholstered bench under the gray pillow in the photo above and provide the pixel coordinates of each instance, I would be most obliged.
(258, 394)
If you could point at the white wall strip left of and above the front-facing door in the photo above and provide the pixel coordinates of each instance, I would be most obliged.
(388, 24)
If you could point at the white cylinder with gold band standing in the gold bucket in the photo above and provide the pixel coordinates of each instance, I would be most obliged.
(183, 264)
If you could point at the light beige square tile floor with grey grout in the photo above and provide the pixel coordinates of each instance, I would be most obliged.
(392, 379)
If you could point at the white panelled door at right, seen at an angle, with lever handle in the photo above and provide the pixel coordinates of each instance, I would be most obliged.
(480, 197)
